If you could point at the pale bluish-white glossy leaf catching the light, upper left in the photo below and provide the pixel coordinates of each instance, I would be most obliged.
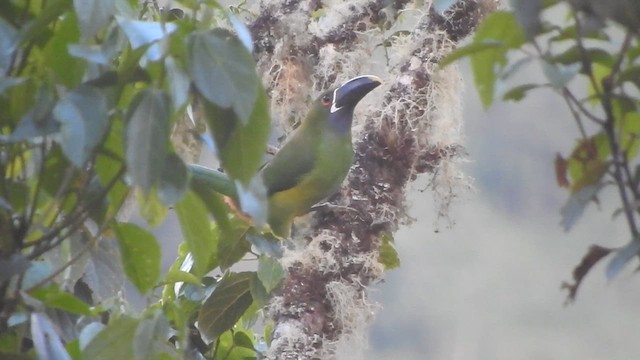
(141, 33)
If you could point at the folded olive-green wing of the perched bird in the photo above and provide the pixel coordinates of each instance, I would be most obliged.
(290, 164)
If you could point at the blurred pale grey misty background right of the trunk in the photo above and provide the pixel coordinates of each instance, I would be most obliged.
(488, 286)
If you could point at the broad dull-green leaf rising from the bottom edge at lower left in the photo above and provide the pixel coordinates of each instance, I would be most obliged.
(113, 342)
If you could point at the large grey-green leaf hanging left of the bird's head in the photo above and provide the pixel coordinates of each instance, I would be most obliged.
(223, 71)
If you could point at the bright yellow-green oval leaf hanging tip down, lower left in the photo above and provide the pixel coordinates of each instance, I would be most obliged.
(140, 255)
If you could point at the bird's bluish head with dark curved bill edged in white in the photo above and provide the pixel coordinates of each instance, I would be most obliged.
(338, 104)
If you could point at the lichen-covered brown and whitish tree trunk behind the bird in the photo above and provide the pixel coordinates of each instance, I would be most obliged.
(322, 310)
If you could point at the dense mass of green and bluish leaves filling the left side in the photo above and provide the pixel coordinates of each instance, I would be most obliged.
(90, 91)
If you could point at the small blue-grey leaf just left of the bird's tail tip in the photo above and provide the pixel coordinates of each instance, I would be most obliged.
(173, 180)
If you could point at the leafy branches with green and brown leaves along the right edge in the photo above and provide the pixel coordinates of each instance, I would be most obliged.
(597, 47)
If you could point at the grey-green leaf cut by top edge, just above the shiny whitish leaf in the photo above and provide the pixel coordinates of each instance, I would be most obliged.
(93, 15)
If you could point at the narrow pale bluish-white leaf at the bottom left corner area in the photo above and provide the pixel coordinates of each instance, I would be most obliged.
(46, 341)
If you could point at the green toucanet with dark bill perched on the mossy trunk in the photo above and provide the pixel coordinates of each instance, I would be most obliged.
(313, 162)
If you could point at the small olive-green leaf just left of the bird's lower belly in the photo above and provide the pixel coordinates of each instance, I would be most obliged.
(233, 244)
